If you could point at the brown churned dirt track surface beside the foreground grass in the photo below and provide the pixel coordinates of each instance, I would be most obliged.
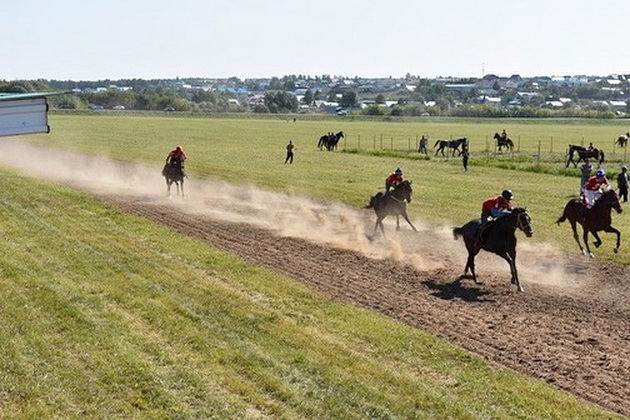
(576, 338)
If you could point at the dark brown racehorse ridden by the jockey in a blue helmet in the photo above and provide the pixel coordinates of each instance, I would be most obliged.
(596, 219)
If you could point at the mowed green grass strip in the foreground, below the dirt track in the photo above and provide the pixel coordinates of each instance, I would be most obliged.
(106, 314)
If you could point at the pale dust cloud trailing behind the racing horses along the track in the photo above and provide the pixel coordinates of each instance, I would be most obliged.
(331, 224)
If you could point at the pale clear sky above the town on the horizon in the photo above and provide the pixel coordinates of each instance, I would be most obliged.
(71, 39)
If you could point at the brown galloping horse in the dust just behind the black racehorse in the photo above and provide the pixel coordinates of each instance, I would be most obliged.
(392, 203)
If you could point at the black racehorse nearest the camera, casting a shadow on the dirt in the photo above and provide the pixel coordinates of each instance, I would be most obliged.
(498, 237)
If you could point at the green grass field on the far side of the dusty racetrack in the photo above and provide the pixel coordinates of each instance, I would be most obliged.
(252, 151)
